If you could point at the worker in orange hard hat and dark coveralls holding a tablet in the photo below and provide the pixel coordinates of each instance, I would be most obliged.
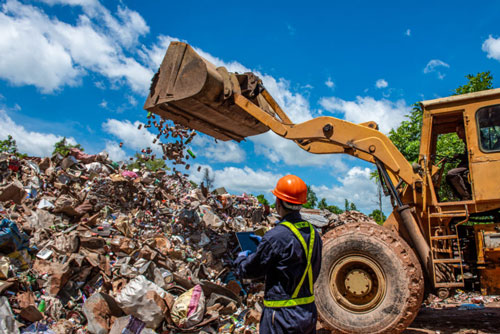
(289, 256)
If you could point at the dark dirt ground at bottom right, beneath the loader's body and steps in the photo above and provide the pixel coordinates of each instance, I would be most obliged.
(451, 320)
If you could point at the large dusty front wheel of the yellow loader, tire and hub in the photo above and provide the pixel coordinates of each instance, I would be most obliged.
(364, 252)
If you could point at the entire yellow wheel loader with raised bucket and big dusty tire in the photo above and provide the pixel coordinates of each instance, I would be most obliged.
(373, 277)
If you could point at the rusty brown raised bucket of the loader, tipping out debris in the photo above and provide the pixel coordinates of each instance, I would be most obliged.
(191, 91)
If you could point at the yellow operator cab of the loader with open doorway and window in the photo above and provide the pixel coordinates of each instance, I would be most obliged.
(478, 114)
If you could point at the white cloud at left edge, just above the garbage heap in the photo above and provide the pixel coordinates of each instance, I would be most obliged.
(31, 142)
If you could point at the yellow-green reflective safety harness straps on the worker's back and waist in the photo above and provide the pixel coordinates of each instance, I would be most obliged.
(294, 301)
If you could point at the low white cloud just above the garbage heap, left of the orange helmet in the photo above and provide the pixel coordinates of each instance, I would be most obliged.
(239, 180)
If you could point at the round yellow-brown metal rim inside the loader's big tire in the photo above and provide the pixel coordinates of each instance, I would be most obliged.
(357, 283)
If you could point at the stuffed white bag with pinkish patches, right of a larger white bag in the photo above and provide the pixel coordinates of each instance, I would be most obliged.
(189, 308)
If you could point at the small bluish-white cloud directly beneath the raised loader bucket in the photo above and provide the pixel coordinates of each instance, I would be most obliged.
(220, 151)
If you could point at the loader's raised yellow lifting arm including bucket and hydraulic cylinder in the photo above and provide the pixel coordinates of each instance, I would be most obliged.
(230, 106)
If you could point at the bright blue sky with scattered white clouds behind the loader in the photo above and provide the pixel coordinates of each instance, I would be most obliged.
(81, 69)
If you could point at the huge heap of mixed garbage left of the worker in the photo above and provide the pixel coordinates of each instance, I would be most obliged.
(88, 246)
